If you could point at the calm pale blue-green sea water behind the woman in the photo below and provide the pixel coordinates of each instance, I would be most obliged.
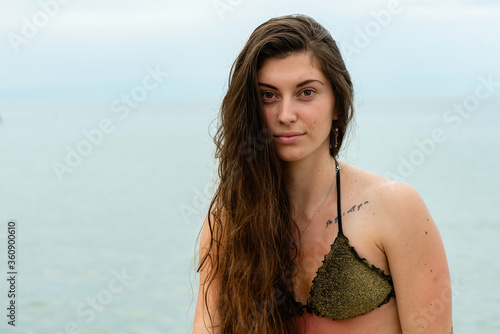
(107, 247)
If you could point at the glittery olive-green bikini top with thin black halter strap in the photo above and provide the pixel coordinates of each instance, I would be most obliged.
(346, 285)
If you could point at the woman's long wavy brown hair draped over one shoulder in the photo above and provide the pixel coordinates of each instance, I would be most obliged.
(251, 226)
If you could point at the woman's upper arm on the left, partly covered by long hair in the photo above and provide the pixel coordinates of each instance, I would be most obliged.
(202, 320)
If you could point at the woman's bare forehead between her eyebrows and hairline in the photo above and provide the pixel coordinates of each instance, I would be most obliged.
(294, 67)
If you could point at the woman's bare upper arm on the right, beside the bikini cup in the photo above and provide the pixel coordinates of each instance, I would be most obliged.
(417, 262)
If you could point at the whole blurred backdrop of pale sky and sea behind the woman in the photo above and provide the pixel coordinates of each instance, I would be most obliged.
(106, 159)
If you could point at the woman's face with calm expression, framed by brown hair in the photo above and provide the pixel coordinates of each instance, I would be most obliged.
(298, 106)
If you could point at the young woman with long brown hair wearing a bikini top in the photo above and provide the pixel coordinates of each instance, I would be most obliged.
(296, 241)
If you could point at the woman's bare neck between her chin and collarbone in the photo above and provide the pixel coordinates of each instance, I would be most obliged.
(308, 183)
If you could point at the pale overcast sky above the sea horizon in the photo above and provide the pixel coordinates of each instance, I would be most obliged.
(94, 50)
